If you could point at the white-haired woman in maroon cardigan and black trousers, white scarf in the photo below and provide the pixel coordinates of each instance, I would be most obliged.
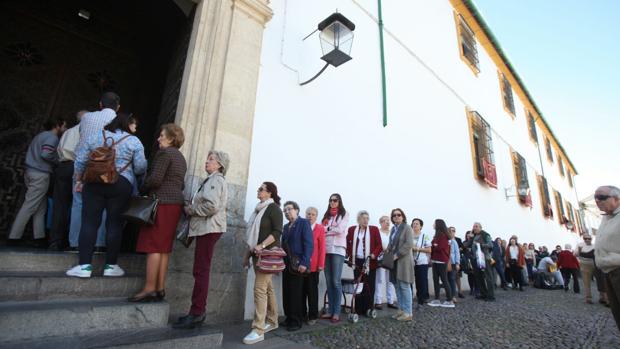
(363, 242)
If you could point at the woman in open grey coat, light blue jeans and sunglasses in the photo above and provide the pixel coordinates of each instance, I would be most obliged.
(401, 243)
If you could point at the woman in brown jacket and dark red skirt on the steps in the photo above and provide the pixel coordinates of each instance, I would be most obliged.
(165, 180)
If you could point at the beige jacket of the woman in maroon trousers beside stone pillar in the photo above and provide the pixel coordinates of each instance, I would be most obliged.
(208, 208)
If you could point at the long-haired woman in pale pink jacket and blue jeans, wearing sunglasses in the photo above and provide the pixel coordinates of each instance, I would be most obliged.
(336, 221)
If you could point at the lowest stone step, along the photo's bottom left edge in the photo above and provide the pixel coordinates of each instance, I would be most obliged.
(151, 338)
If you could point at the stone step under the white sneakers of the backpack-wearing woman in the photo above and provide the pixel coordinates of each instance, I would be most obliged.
(32, 285)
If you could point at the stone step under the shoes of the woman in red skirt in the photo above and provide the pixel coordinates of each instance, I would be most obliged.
(31, 320)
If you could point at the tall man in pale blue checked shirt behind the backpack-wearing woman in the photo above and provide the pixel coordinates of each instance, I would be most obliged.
(91, 124)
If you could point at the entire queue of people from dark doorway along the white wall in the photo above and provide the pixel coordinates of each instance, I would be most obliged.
(309, 245)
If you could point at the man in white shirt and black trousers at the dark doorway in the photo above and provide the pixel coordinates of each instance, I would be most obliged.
(63, 185)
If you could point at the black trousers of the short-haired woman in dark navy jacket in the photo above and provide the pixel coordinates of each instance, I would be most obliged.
(293, 298)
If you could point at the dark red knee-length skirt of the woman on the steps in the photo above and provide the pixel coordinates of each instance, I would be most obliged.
(158, 238)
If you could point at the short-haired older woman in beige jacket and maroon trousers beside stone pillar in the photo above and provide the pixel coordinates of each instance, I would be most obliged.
(207, 212)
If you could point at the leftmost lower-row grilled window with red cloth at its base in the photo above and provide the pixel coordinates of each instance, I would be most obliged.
(482, 143)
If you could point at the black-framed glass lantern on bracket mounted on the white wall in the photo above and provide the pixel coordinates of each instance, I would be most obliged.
(336, 37)
